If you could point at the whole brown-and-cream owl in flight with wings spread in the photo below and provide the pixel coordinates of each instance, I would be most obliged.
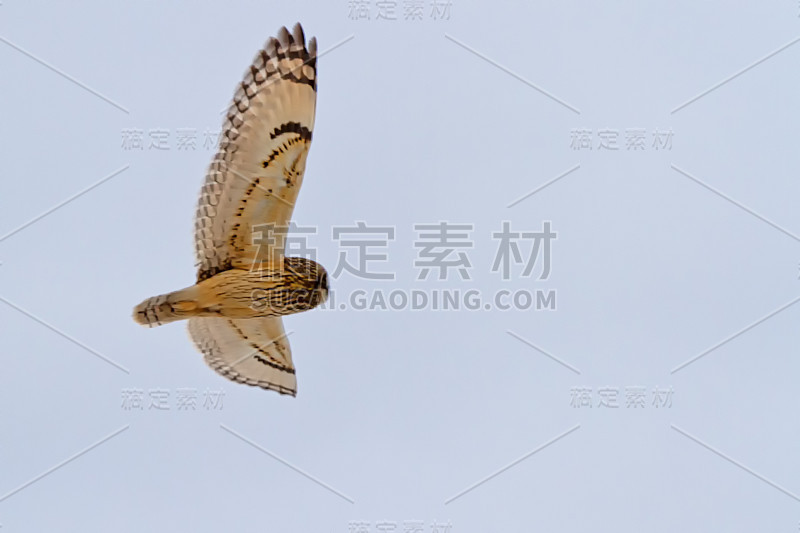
(244, 282)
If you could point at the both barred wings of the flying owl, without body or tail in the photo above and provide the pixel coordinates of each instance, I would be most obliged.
(254, 180)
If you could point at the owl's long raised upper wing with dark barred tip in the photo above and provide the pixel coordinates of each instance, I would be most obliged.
(257, 172)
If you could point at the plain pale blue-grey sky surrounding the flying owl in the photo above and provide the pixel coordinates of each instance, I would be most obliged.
(661, 255)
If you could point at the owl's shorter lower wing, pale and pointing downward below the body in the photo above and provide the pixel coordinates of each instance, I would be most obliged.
(253, 351)
